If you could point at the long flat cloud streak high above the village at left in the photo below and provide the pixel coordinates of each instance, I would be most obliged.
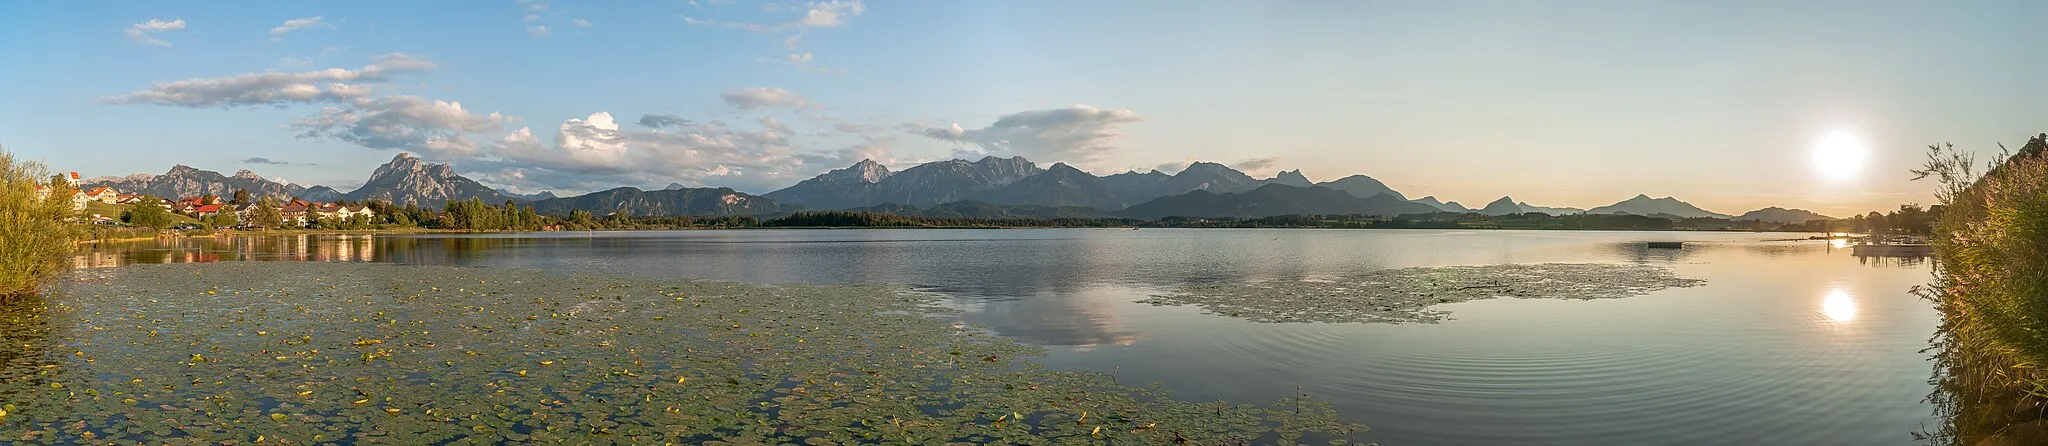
(278, 89)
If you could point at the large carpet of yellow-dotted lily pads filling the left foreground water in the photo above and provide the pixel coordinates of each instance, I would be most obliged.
(282, 353)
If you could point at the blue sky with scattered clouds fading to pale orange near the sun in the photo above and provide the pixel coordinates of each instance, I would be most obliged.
(1553, 103)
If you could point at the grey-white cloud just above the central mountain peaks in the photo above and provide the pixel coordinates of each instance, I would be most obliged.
(1080, 136)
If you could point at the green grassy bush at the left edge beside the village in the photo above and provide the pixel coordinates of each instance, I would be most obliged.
(34, 232)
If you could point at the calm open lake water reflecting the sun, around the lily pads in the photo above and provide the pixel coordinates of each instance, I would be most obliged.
(1789, 343)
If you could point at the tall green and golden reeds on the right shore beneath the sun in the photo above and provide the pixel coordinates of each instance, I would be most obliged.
(1992, 287)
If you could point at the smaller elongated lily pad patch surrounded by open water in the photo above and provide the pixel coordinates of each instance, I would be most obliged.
(1412, 294)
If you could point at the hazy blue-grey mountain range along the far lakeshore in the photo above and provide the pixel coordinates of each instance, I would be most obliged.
(988, 187)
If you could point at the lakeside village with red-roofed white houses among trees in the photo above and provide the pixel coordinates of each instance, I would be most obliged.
(103, 206)
